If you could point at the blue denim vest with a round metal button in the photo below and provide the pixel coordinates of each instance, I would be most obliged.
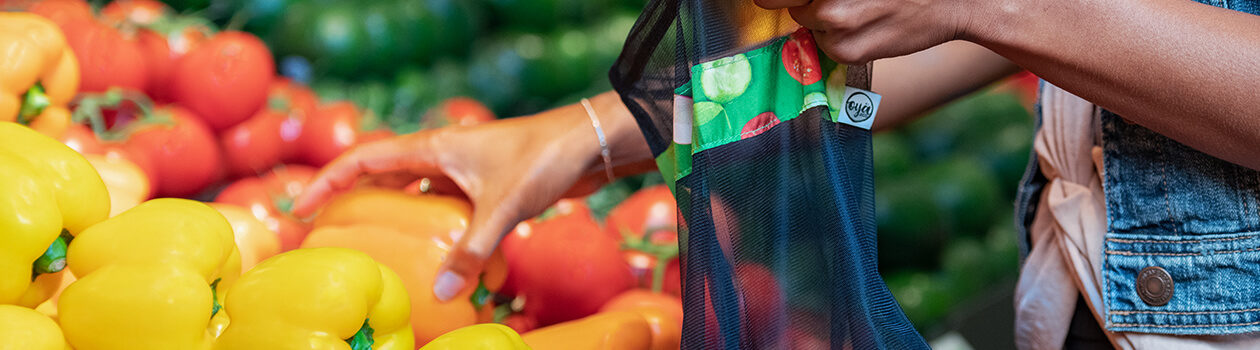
(1183, 249)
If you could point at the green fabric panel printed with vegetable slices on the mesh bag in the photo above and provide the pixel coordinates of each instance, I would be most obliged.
(743, 96)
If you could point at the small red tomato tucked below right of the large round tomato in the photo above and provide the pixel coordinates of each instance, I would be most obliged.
(254, 147)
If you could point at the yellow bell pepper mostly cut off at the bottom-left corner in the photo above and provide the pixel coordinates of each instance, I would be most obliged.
(28, 330)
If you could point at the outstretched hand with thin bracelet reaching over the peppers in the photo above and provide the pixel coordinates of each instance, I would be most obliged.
(510, 171)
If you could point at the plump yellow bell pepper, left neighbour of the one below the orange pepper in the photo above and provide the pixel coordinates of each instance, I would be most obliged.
(148, 279)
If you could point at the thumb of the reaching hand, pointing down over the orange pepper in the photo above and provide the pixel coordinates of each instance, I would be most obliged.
(468, 259)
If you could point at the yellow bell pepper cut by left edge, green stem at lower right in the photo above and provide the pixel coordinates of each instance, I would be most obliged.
(50, 192)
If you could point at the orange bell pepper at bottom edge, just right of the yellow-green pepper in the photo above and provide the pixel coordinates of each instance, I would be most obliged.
(614, 330)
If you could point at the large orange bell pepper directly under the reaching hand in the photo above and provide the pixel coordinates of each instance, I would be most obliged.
(411, 236)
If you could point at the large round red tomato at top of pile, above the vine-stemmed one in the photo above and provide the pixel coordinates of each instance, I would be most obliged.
(225, 80)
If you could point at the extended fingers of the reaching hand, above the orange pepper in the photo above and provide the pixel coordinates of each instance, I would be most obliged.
(376, 158)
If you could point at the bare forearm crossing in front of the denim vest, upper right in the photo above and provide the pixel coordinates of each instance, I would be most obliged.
(1181, 69)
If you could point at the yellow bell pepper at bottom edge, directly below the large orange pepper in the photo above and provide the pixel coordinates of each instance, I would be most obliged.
(318, 299)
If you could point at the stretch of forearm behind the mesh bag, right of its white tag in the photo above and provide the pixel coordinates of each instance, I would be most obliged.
(917, 84)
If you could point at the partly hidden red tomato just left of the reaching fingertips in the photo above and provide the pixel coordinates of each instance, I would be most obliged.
(269, 198)
